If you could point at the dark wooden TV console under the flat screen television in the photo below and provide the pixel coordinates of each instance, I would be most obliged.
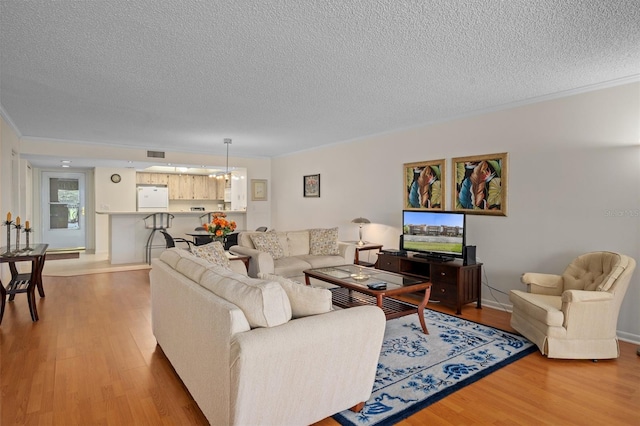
(453, 284)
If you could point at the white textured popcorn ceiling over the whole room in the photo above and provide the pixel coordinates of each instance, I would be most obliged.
(285, 76)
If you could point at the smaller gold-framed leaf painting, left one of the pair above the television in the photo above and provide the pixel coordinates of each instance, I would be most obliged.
(424, 185)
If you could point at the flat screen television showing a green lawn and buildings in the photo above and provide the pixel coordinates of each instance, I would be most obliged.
(433, 233)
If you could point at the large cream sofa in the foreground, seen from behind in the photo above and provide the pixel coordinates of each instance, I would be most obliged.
(233, 343)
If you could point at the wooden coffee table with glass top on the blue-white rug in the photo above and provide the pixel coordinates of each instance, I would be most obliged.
(352, 291)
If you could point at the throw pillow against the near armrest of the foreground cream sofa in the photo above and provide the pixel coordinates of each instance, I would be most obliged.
(305, 300)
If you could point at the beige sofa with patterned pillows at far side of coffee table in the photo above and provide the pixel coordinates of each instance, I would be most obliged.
(289, 253)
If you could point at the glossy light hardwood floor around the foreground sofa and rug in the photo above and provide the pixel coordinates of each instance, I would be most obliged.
(92, 360)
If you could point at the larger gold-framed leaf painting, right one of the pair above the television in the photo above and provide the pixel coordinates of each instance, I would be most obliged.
(480, 184)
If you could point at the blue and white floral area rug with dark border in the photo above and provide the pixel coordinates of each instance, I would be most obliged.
(415, 369)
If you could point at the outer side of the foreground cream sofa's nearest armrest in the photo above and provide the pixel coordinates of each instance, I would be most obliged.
(307, 369)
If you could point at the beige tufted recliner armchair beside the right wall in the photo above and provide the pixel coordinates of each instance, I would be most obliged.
(574, 315)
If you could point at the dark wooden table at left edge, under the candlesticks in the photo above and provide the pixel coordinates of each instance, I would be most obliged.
(26, 282)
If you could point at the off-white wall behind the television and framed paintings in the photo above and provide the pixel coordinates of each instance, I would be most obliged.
(574, 174)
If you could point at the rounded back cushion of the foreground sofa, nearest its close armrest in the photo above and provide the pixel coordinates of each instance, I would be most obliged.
(264, 303)
